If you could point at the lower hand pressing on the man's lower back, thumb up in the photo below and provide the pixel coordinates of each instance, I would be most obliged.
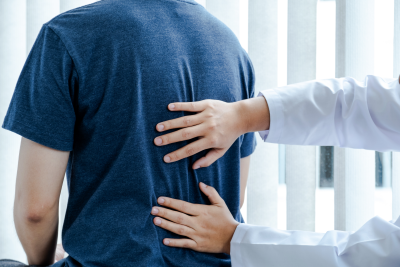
(208, 228)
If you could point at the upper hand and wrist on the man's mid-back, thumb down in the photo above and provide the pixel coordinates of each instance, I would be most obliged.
(217, 125)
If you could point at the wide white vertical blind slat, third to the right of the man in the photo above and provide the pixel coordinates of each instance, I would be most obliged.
(354, 169)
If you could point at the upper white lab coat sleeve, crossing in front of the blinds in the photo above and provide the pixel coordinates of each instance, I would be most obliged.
(336, 112)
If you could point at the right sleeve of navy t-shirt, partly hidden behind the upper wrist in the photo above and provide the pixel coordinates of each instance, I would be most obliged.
(249, 142)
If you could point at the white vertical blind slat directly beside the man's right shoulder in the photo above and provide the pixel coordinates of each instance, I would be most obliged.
(262, 188)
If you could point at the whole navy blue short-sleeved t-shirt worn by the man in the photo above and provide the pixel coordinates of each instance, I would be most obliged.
(97, 81)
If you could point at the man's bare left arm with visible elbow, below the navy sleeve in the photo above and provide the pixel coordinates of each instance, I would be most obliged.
(40, 175)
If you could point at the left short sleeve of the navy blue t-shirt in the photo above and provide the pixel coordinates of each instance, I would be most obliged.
(42, 108)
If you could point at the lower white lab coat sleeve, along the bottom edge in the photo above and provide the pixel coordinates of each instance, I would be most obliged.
(376, 243)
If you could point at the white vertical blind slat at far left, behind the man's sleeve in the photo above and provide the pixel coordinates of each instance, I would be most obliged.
(12, 57)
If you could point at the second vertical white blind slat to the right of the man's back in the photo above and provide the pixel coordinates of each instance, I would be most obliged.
(301, 160)
